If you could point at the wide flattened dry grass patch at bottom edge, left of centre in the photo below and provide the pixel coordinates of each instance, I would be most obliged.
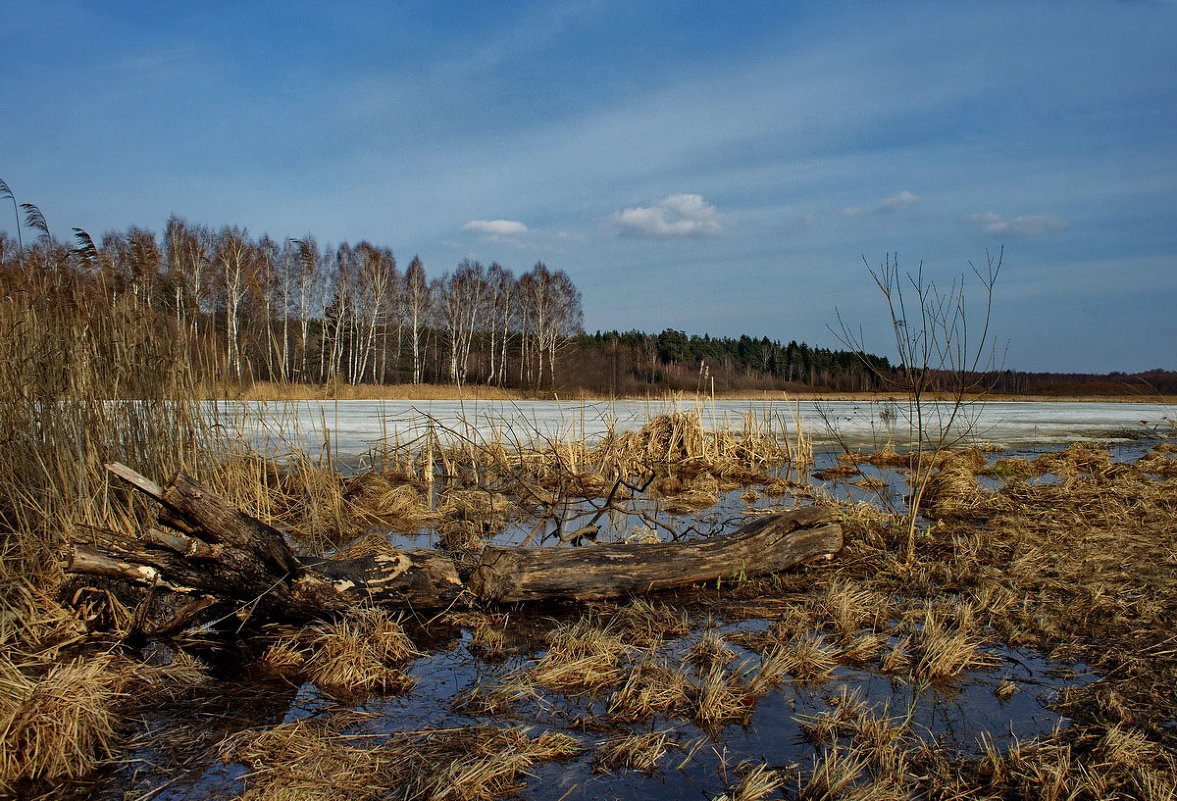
(314, 759)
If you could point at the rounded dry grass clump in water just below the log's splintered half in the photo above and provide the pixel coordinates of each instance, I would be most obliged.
(360, 655)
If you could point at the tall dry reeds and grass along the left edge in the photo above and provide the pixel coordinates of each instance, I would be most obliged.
(82, 384)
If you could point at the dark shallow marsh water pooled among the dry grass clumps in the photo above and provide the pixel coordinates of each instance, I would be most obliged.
(952, 716)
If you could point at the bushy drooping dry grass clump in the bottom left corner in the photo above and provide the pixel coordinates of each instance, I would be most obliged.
(61, 726)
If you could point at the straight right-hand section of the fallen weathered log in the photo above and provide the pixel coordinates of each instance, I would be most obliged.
(768, 545)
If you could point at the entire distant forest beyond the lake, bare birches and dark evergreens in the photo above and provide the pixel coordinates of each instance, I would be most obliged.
(230, 309)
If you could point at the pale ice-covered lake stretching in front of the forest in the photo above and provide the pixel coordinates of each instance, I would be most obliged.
(354, 429)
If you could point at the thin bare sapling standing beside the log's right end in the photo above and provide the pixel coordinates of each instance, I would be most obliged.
(947, 361)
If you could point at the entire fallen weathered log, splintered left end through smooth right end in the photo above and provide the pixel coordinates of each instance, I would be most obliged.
(214, 550)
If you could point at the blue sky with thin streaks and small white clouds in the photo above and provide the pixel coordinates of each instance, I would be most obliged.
(719, 168)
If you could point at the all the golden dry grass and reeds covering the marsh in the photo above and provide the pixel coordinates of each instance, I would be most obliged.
(1082, 569)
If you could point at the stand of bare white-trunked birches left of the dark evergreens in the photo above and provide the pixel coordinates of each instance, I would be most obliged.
(242, 309)
